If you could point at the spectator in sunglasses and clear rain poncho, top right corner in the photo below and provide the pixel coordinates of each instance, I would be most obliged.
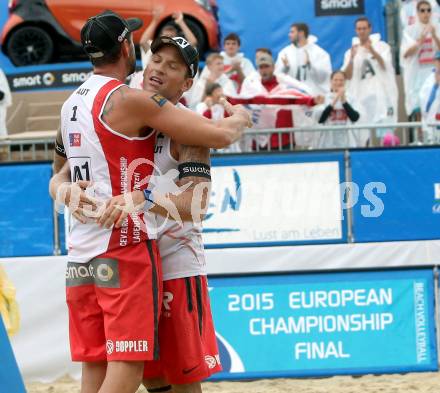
(419, 43)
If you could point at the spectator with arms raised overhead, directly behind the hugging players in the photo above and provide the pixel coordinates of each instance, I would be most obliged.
(177, 28)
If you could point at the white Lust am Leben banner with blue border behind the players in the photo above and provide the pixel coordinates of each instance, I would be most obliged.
(275, 199)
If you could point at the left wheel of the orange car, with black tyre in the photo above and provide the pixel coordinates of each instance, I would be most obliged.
(30, 45)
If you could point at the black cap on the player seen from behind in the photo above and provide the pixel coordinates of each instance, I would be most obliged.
(105, 32)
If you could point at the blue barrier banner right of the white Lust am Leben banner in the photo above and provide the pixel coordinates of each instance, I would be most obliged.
(398, 194)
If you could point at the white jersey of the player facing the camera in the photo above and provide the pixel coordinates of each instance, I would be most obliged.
(180, 245)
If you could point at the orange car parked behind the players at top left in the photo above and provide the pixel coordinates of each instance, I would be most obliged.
(39, 31)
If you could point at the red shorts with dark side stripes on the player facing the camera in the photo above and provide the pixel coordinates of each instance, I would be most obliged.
(188, 346)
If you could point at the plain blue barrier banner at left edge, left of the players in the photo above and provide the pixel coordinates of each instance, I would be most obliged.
(26, 218)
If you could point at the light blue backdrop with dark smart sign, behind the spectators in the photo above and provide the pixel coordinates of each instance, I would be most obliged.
(266, 23)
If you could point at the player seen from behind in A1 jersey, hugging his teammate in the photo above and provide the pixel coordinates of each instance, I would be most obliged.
(113, 274)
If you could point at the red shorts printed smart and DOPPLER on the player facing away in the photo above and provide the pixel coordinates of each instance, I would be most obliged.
(114, 305)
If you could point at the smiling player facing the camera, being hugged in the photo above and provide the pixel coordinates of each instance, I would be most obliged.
(188, 347)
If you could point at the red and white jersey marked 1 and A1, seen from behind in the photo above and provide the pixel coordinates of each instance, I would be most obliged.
(113, 162)
